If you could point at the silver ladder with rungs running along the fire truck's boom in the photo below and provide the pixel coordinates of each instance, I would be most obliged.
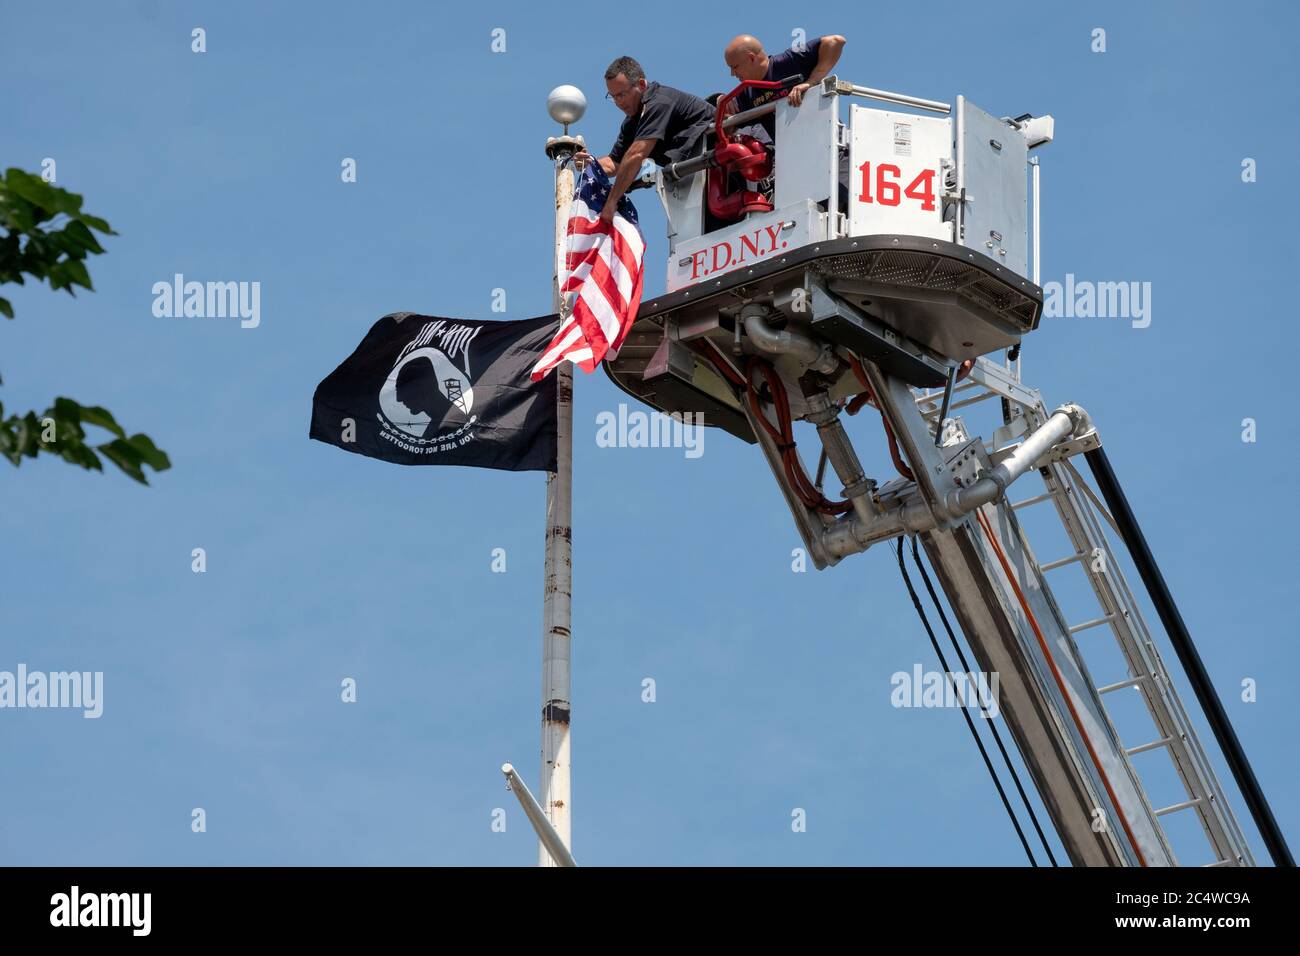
(1081, 514)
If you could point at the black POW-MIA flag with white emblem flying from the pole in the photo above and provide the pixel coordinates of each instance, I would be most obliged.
(423, 390)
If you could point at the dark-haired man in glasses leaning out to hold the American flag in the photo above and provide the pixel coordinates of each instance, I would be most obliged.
(664, 126)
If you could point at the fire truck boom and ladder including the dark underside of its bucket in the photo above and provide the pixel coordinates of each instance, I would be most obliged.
(699, 349)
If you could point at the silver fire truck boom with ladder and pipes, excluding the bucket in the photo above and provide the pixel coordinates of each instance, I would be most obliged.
(954, 498)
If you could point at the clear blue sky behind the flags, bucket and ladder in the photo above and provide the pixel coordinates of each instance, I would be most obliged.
(222, 690)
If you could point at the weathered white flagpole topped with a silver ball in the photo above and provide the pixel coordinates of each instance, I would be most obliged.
(566, 105)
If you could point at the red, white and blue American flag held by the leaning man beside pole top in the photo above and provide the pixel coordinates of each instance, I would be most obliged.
(604, 266)
